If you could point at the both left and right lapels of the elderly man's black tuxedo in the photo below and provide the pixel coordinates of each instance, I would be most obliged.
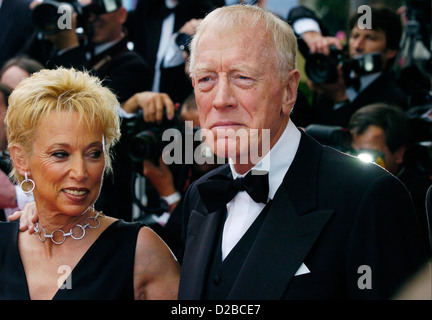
(286, 236)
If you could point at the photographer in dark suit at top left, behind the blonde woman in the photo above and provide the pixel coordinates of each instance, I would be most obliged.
(102, 48)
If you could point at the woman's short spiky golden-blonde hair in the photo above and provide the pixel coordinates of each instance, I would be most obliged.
(60, 90)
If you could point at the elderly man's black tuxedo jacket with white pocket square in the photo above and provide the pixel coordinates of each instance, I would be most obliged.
(344, 219)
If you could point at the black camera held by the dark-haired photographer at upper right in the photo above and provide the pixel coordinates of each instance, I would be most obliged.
(321, 68)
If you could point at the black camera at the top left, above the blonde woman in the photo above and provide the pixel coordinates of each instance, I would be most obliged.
(47, 15)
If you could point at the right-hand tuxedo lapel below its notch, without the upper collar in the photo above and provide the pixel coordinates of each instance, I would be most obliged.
(279, 250)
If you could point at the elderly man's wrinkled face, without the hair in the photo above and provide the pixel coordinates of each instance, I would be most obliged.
(237, 89)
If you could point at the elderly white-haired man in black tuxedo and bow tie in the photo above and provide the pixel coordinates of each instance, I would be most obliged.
(317, 224)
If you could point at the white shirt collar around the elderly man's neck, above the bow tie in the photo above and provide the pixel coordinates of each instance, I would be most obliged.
(279, 159)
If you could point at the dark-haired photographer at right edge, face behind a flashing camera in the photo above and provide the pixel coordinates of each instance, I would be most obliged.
(384, 129)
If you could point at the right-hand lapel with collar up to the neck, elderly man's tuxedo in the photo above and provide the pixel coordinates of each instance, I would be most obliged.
(288, 233)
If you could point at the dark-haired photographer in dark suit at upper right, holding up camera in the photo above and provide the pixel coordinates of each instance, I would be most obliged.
(338, 98)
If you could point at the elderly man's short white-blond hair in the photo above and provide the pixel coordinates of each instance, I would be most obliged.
(247, 17)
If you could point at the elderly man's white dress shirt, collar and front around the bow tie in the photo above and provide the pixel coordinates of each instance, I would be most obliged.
(242, 210)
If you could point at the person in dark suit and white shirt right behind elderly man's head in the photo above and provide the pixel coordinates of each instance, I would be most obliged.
(154, 27)
